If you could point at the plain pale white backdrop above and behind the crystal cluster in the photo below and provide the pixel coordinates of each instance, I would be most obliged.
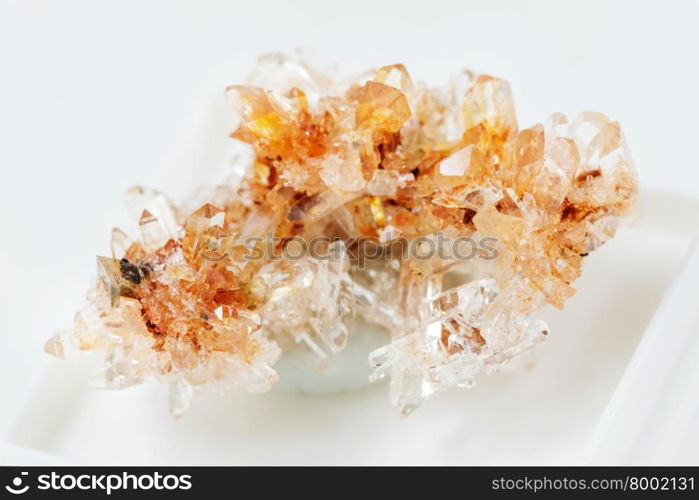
(98, 96)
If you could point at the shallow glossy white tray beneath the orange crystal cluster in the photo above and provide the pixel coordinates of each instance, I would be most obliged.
(617, 381)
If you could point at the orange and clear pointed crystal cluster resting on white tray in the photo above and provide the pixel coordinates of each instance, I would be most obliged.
(194, 300)
